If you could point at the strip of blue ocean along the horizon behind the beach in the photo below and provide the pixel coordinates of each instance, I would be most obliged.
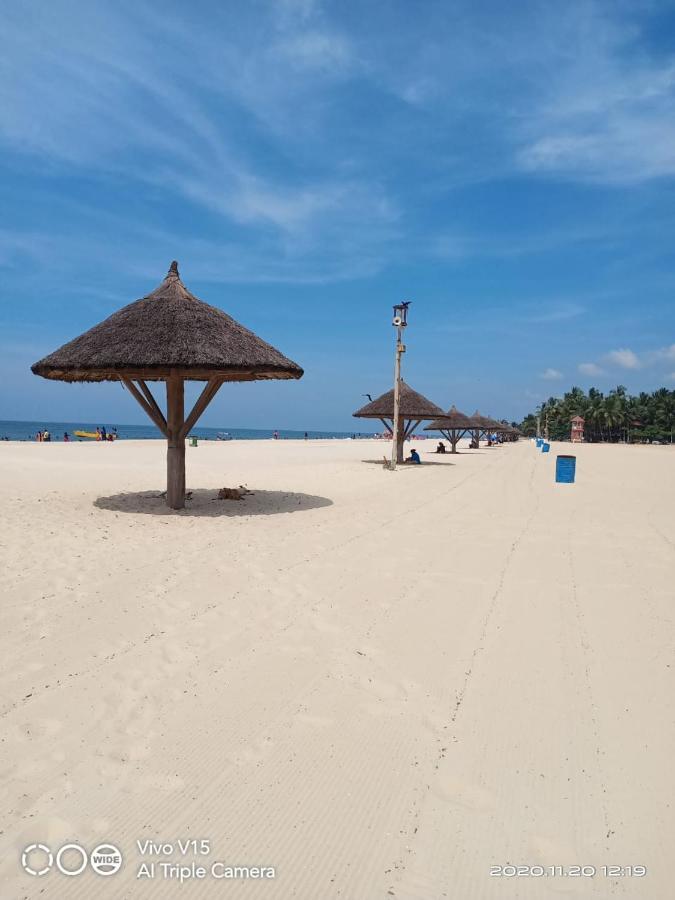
(26, 431)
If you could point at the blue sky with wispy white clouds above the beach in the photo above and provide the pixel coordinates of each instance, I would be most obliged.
(509, 168)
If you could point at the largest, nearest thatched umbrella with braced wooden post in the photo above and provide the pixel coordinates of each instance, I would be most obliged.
(170, 336)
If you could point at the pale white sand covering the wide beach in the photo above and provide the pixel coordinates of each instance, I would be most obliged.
(381, 684)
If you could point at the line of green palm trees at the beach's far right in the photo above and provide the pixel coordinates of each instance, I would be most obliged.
(616, 416)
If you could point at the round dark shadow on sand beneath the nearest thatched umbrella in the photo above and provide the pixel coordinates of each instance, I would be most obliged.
(204, 502)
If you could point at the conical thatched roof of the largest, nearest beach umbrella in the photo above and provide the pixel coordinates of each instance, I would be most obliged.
(170, 329)
